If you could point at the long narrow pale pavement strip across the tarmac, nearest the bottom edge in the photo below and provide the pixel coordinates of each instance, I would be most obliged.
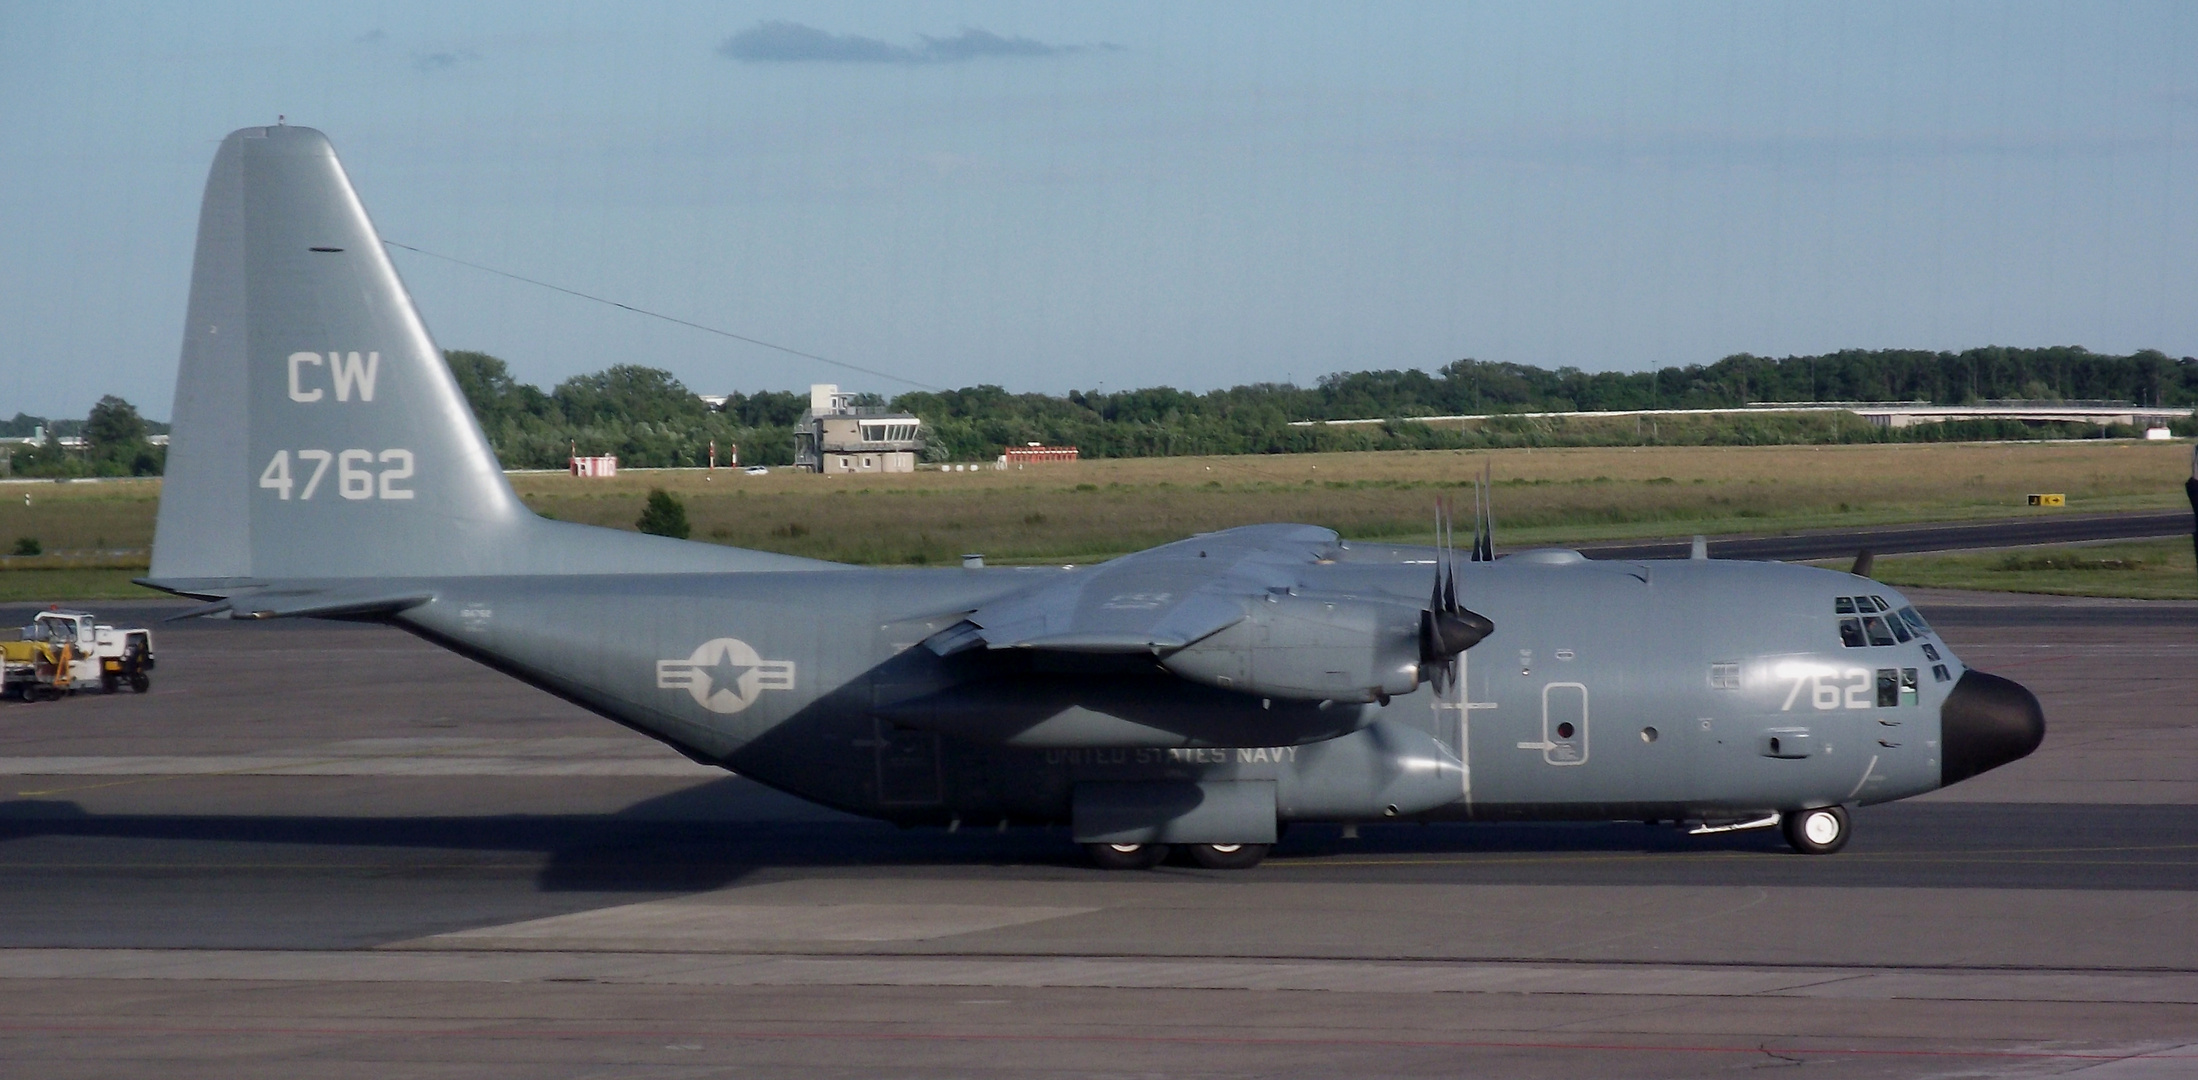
(1362, 978)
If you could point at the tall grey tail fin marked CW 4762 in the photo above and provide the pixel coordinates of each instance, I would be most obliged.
(318, 430)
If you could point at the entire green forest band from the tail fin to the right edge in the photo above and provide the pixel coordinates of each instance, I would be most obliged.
(650, 419)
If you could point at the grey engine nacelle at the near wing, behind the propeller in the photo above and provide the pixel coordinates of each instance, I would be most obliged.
(1311, 648)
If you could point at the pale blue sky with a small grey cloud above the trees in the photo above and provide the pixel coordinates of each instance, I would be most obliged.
(1058, 197)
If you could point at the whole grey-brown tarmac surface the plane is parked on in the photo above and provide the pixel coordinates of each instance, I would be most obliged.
(331, 850)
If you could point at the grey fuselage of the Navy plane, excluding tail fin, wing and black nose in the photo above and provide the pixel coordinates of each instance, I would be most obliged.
(1667, 690)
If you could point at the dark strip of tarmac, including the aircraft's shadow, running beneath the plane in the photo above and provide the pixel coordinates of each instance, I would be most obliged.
(724, 833)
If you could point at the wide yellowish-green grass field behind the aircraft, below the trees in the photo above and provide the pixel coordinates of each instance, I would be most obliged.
(1089, 511)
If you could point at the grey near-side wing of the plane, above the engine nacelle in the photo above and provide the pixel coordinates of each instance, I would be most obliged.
(1151, 602)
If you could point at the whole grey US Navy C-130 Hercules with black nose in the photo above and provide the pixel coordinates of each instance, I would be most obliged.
(1201, 694)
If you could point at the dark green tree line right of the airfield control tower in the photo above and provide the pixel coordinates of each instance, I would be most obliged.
(1256, 419)
